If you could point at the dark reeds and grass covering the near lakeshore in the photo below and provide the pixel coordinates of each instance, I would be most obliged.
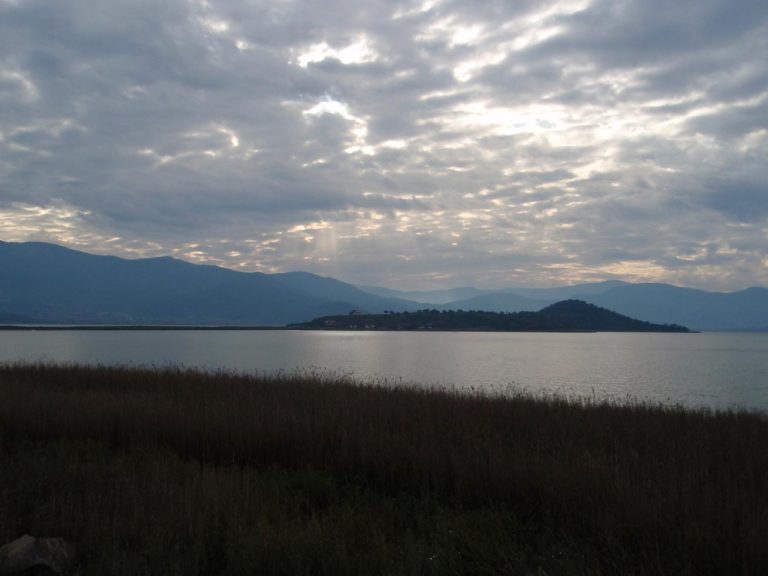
(178, 472)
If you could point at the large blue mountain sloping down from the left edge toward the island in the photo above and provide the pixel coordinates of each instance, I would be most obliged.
(53, 284)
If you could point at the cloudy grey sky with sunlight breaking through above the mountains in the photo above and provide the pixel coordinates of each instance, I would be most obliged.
(409, 144)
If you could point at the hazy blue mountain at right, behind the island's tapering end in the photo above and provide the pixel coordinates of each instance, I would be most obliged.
(697, 309)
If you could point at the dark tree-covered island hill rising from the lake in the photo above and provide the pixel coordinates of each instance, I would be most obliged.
(565, 316)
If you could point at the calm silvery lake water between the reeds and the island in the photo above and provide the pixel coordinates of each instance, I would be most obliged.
(709, 369)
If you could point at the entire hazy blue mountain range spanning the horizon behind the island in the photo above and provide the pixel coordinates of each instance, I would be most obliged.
(44, 283)
